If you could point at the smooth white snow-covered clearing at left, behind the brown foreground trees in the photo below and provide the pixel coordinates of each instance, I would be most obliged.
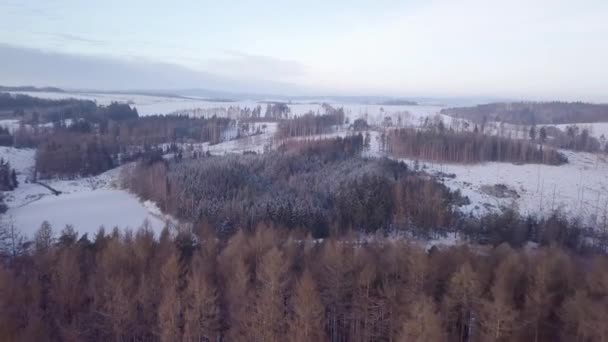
(86, 203)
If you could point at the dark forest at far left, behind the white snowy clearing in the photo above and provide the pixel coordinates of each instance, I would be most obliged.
(80, 138)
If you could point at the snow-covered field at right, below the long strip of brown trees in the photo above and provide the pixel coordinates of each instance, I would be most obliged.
(579, 188)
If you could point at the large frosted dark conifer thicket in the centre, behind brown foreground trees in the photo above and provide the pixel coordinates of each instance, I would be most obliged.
(317, 186)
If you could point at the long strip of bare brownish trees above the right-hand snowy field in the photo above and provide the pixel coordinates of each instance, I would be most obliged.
(466, 147)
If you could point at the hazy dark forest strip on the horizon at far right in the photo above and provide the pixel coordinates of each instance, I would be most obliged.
(532, 113)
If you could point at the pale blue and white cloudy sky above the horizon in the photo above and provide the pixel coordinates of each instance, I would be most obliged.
(542, 49)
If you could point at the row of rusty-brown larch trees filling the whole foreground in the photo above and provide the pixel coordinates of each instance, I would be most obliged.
(270, 286)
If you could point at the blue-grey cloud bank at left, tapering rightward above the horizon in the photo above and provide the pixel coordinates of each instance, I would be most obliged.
(19, 66)
